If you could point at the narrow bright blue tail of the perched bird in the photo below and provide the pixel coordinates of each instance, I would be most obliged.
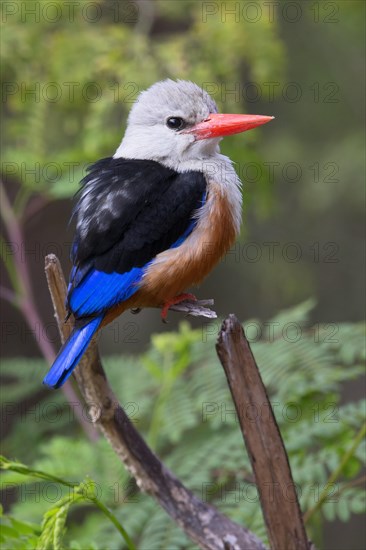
(71, 353)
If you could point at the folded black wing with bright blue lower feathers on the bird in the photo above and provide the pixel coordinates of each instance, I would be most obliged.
(128, 212)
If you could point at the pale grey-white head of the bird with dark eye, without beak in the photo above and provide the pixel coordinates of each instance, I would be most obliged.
(159, 125)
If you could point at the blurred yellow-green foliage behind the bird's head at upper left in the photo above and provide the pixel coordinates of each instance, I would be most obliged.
(59, 106)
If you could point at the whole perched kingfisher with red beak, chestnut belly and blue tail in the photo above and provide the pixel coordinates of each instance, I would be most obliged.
(156, 217)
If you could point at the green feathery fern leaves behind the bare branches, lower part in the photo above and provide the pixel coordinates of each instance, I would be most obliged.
(177, 395)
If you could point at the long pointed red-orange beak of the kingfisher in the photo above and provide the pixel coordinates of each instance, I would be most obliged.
(218, 125)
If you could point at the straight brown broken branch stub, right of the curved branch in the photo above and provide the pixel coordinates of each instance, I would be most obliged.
(263, 440)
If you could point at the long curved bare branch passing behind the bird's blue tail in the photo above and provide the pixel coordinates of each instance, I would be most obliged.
(206, 526)
